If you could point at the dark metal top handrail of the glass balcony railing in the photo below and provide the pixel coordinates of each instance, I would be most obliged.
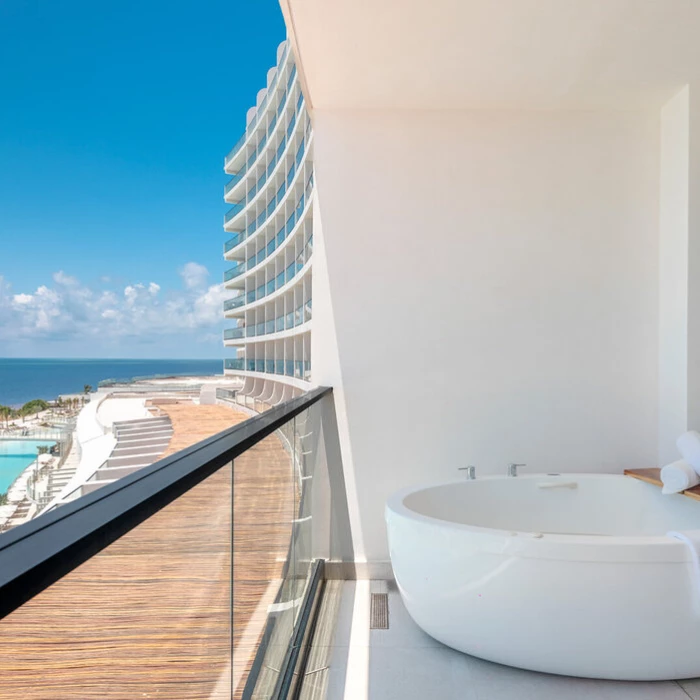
(36, 554)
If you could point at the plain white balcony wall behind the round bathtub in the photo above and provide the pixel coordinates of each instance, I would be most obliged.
(486, 291)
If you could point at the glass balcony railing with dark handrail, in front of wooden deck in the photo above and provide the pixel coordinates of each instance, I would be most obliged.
(130, 591)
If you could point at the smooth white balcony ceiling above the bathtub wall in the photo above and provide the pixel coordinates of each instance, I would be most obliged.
(457, 54)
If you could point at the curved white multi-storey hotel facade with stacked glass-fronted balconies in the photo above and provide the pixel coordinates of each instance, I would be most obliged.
(270, 224)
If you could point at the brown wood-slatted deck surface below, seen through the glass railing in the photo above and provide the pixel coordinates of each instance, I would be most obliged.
(150, 615)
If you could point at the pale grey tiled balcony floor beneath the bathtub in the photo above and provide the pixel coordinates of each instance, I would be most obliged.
(404, 663)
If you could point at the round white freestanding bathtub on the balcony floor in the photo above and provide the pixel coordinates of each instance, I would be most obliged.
(578, 581)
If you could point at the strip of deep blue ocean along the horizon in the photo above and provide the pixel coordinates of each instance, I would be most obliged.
(22, 380)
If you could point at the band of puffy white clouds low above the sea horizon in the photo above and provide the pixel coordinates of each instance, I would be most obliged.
(68, 309)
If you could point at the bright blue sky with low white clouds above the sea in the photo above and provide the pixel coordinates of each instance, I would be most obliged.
(114, 122)
